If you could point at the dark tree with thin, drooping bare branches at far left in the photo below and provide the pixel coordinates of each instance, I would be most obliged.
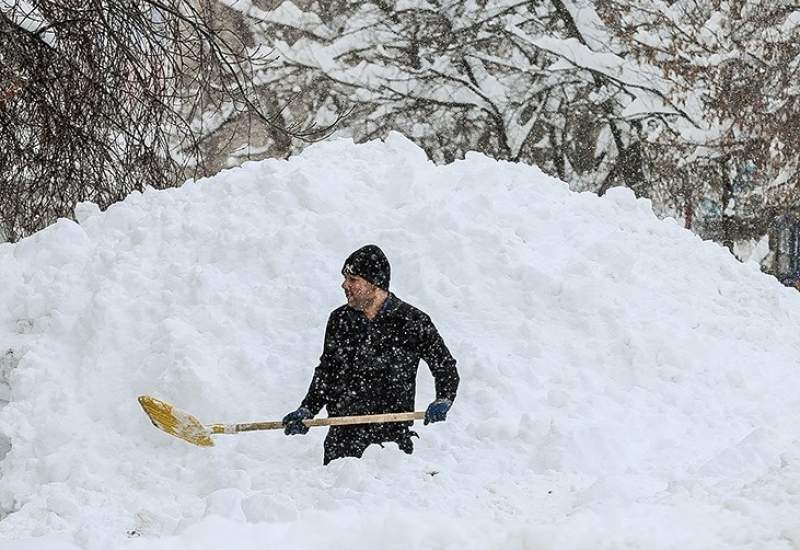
(98, 99)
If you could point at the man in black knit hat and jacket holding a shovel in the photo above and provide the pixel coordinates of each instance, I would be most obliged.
(369, 363)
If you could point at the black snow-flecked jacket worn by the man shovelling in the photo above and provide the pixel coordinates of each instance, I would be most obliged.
(370, 366)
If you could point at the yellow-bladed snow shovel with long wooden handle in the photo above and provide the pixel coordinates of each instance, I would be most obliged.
(185, 426)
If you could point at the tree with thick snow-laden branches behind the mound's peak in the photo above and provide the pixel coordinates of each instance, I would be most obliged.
(491, 76)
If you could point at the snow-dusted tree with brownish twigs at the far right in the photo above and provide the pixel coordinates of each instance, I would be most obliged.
(732, 66)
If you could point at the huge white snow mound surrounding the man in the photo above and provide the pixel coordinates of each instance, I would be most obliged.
(624, 384)
